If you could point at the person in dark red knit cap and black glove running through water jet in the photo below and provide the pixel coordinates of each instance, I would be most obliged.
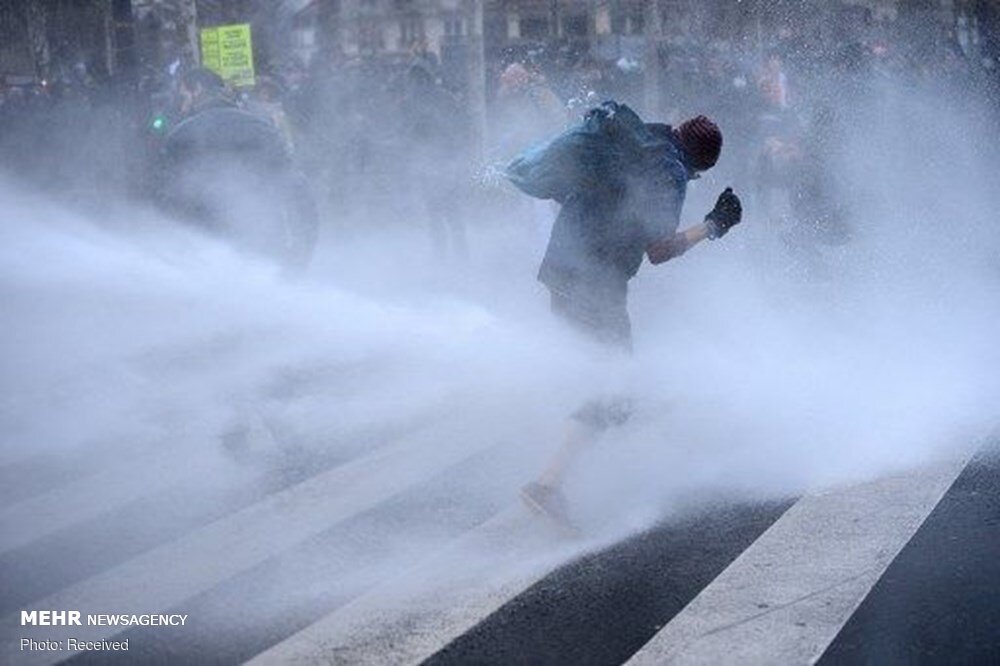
(622, 201)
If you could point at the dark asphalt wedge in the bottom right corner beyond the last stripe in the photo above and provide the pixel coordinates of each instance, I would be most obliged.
(939, 601)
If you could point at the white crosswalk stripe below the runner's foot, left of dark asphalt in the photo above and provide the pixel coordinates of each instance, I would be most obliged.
(410, 617)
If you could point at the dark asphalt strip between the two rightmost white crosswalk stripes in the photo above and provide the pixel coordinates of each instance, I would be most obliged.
(602, 608)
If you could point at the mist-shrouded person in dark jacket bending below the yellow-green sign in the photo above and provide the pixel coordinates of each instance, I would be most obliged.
(229, 170)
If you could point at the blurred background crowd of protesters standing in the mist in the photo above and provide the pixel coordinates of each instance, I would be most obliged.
(385, 142)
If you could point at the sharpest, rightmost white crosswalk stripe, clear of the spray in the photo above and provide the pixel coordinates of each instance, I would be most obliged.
(784, 599)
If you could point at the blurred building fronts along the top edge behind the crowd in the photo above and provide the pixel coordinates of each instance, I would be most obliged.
(46, 38)
